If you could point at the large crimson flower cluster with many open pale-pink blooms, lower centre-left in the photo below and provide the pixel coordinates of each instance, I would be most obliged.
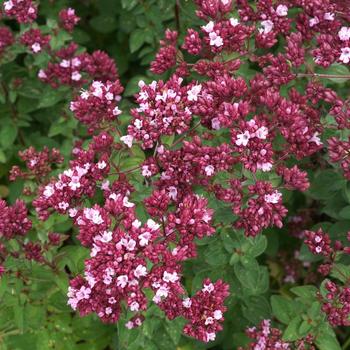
(133, 257)
